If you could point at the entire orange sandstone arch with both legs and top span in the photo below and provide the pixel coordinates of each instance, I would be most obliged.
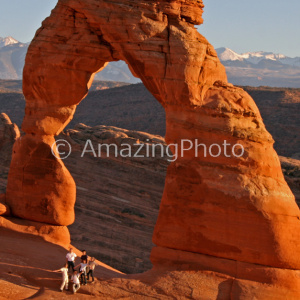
(239, 209)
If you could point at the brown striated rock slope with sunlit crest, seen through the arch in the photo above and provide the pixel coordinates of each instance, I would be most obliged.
(117, 198)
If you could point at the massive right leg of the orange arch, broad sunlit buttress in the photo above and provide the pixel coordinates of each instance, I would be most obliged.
(236, 208)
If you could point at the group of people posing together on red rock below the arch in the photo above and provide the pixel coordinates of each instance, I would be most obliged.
(79, 276)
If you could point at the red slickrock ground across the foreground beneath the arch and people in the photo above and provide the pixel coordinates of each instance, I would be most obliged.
(25, 272)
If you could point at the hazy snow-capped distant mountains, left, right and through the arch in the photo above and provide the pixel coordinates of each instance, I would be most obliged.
(252, 68)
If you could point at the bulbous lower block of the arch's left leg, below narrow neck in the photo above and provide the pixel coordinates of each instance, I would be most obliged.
(44, 190)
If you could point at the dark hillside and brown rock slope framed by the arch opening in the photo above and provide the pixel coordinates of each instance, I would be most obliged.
(118, 198)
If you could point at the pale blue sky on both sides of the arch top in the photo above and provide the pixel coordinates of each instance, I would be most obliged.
(237, 24)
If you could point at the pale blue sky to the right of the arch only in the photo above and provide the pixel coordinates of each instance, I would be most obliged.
(269, 25)
